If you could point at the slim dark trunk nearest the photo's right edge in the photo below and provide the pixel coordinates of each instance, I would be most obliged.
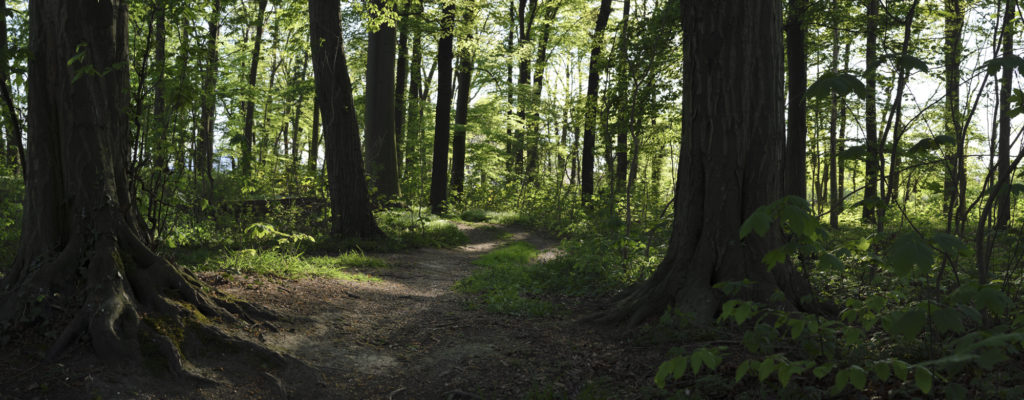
(1007, 82)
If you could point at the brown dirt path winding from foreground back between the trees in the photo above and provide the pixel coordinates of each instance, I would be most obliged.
(410, 336)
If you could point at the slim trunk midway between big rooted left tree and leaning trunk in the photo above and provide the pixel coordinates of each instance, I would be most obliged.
(204, 153)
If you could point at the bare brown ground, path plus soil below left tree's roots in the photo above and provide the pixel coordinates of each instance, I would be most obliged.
(407, 336)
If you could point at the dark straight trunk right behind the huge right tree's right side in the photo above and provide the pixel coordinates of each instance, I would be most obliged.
(796, 144)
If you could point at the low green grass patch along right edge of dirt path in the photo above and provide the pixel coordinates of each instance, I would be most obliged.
(506, 277)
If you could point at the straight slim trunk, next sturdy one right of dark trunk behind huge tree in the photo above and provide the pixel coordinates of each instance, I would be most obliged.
(872, 167)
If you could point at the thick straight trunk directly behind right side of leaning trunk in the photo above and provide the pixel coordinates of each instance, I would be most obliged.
(382, 162)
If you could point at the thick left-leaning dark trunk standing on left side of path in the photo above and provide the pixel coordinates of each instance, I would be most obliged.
(352, 215)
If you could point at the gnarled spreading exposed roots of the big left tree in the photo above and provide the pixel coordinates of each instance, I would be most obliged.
(134, 307)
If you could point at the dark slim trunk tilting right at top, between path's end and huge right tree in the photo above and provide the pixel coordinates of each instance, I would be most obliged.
(590, 119)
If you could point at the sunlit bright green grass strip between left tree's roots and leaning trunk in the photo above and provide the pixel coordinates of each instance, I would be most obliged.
(272, 263)
